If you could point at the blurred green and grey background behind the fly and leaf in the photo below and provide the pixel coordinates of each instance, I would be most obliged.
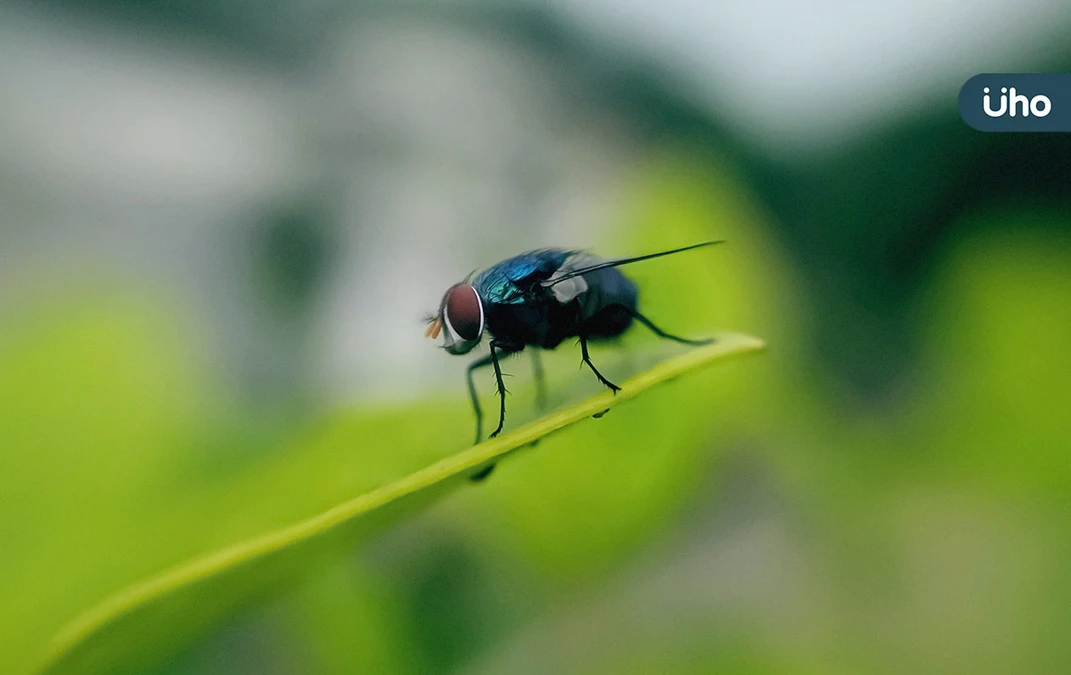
(222, 222)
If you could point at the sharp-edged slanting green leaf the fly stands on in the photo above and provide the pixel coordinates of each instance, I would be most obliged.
(134, 624)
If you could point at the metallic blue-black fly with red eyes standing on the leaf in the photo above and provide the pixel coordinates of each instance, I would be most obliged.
(538, 299)
